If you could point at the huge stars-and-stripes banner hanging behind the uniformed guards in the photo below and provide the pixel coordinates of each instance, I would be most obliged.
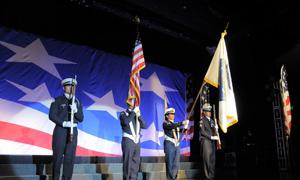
(31, 69)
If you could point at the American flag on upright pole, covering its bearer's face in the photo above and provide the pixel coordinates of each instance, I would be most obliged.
(138, 63)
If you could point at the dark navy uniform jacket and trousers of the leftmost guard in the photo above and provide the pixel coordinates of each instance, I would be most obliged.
(63, 150)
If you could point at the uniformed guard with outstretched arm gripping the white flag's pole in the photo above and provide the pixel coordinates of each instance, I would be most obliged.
(172, 132)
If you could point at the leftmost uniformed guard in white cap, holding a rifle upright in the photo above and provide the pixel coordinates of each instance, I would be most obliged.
(60, 113)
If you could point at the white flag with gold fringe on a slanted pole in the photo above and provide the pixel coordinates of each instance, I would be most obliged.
(218, 75)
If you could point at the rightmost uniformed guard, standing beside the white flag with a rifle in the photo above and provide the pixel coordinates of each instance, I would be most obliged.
(207, 142)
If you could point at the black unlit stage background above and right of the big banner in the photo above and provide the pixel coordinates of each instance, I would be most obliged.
(262, 35)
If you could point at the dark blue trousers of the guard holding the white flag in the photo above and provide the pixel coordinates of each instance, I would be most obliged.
(172, 158)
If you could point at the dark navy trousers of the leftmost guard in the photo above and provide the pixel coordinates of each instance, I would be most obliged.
(63, 151)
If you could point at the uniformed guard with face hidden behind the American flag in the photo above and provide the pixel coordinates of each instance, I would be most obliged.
(131, 122)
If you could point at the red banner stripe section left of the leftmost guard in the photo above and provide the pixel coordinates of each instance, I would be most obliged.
(25, 135)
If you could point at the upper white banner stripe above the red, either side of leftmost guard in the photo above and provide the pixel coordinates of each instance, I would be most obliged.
(19, 114)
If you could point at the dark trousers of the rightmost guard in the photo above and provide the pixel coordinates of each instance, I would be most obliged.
(208, 152)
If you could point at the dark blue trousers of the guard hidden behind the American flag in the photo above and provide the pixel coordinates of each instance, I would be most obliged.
(131, 159)
